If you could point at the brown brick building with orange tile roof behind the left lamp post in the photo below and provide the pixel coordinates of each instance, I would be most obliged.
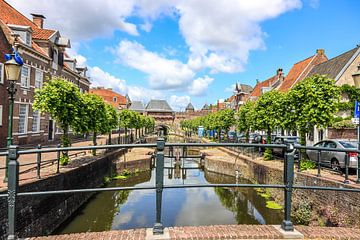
(43, 52)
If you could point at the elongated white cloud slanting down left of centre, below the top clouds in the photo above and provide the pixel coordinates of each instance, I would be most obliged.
(162, 73)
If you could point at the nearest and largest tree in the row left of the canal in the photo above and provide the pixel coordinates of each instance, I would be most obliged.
(61, 99)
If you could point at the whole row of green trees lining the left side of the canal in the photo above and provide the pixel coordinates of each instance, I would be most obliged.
(84, 113)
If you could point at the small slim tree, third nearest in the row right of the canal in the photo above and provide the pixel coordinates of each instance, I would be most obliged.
(245, 119)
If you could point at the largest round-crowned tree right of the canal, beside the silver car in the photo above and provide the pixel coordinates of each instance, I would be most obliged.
(314, 102)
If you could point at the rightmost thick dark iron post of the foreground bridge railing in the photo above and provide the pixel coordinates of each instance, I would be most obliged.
(288, 182)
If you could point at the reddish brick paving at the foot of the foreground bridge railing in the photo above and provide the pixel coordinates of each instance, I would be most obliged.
(217, 232)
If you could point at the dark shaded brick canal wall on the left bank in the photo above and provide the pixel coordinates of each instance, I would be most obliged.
(40, 215)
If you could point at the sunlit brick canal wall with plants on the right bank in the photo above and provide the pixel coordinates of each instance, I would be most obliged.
(330, 208)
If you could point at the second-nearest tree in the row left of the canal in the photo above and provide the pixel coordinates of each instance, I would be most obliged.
(95, 116)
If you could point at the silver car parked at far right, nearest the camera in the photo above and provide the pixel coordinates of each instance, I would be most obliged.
(335, 160)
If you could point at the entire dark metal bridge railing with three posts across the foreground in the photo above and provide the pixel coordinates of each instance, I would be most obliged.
(287, 185)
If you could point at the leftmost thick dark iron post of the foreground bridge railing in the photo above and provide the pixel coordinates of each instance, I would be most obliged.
(13, 185)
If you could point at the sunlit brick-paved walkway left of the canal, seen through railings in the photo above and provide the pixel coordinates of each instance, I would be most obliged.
(28, 173)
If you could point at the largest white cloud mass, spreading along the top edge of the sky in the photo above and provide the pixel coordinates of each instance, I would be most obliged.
(219, 34)
